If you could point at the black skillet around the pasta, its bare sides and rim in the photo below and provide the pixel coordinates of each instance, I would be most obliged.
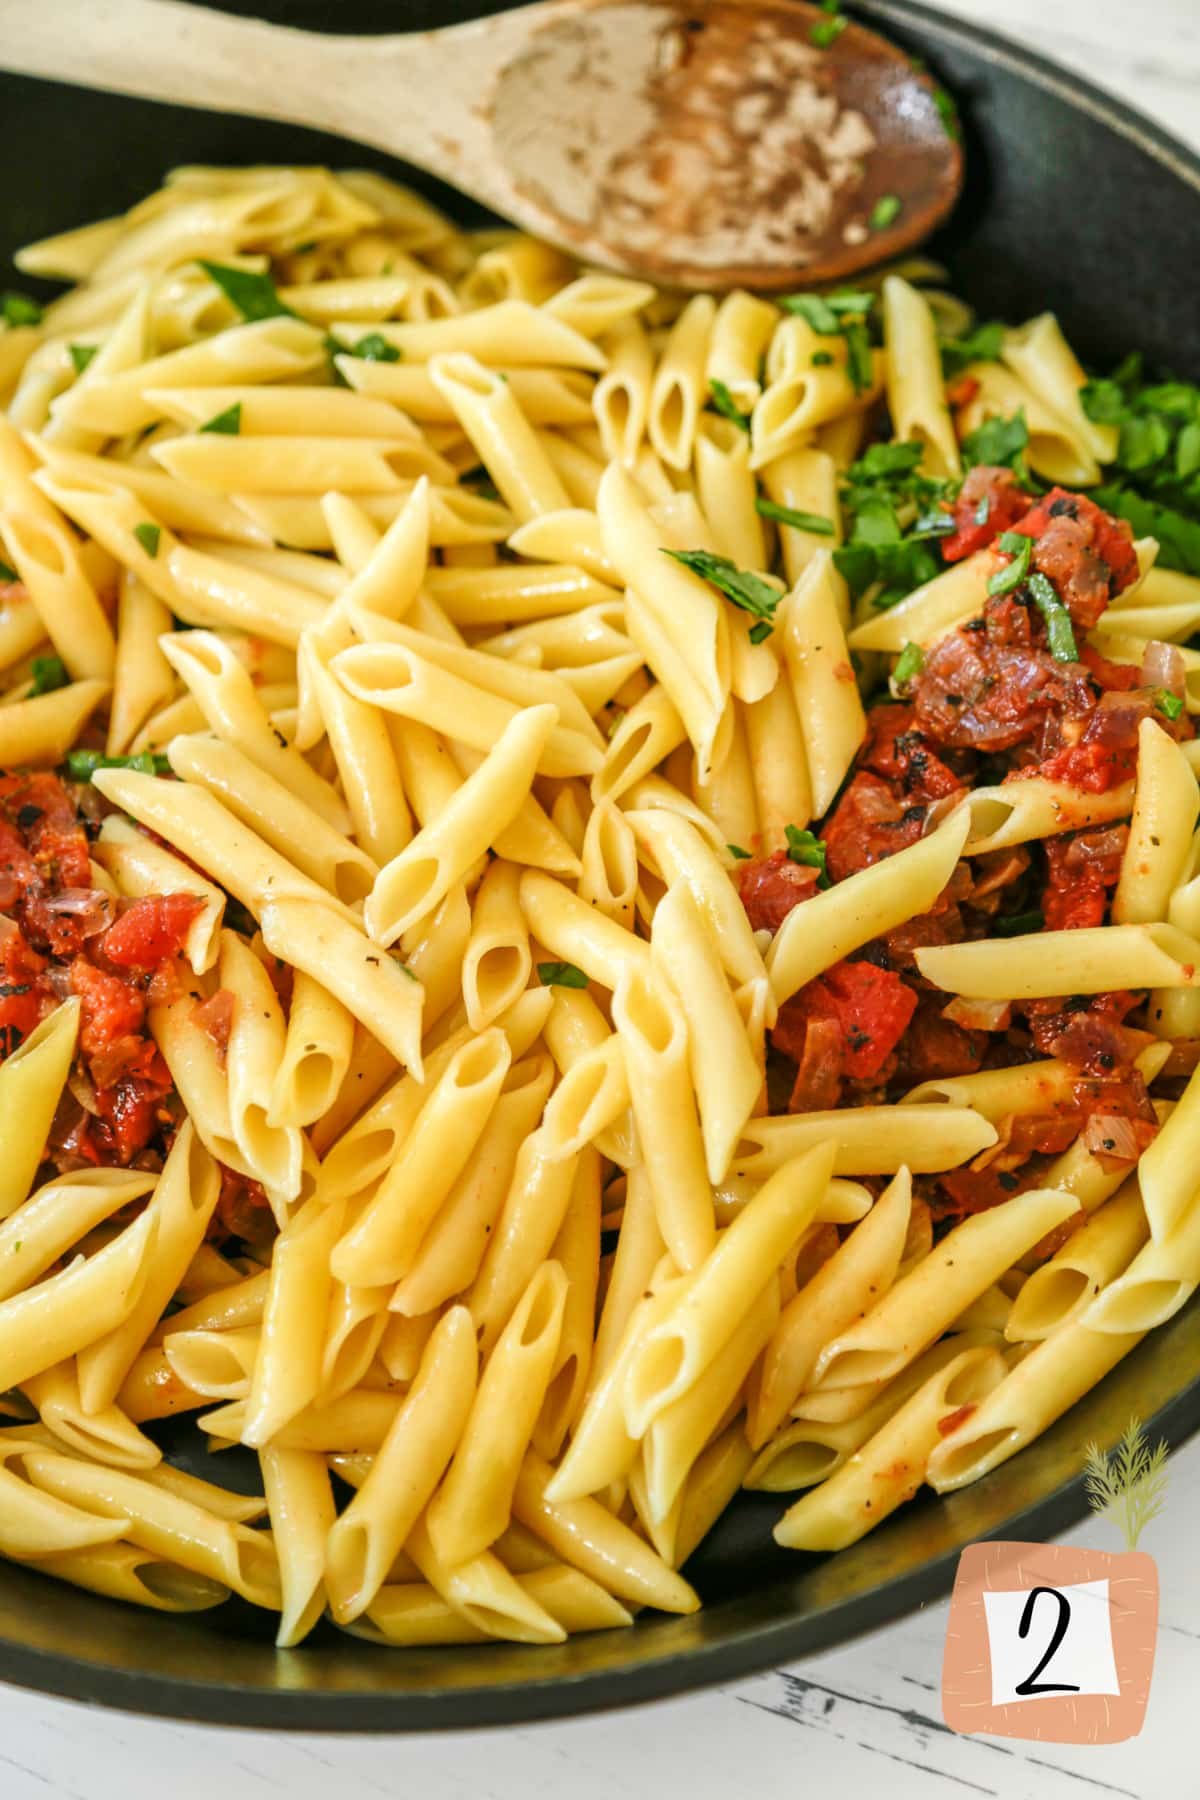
(1073, 204)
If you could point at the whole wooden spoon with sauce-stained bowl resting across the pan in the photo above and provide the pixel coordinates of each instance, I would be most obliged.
(708, 143)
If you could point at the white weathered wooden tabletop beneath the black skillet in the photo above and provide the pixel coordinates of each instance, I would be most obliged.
(855, 1720)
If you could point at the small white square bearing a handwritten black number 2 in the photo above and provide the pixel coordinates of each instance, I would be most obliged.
(1050, 1641)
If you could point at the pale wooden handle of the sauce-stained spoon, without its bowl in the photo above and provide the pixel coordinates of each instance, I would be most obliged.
(415, 96)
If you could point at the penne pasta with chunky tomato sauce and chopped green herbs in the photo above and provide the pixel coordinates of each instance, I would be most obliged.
(598, 908)
